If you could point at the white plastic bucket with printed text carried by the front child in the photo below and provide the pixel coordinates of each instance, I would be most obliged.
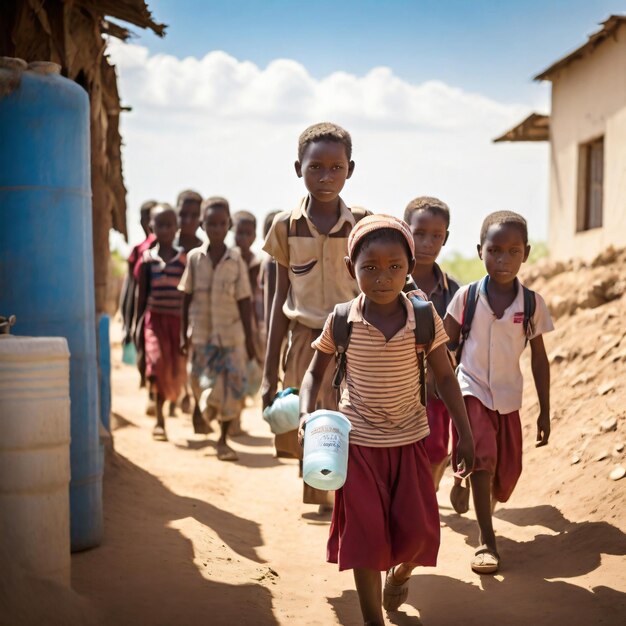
(325, 463)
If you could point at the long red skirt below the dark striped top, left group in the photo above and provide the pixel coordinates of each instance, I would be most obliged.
(165, 366)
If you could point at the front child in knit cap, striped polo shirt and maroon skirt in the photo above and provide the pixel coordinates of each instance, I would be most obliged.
(385, 516)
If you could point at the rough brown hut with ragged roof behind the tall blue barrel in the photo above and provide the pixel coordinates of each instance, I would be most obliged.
(73, 34)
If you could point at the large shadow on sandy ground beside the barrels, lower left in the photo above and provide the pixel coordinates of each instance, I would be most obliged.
(140, 545)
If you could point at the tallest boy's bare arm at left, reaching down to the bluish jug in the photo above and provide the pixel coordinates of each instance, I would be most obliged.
(279, 325)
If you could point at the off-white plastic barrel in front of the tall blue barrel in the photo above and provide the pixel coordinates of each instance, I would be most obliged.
(34, 455)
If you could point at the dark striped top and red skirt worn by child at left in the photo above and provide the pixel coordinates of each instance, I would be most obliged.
(165, 366)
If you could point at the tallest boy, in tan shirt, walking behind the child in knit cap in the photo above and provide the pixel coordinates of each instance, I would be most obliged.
(309, 245)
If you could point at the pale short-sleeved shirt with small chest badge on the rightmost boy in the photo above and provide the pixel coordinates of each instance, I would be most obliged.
(489, 369)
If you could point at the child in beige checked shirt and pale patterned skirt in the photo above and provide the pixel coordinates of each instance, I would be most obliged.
(217, 307)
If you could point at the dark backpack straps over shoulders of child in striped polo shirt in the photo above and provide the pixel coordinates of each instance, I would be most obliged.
(424, 335)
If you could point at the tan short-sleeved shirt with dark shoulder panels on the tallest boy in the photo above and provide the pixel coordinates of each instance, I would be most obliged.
(318, 275)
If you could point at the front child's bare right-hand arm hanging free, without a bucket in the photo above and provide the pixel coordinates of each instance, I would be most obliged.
(450, 393)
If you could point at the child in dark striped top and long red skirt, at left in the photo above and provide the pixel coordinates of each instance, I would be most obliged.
(159, 304)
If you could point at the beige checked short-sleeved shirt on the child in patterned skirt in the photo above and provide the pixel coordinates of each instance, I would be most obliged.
(213, 313)
